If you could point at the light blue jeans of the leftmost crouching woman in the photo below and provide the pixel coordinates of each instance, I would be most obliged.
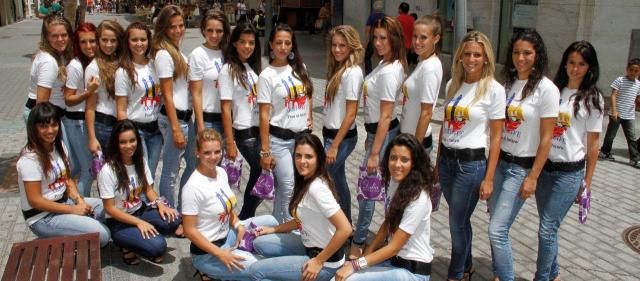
(54, 225)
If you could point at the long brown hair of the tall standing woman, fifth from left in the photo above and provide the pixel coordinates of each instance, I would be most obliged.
(162, 42)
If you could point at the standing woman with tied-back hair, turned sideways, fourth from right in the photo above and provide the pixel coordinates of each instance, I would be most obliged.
(422, 87)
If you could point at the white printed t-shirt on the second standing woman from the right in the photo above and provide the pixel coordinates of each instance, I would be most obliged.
(521, 134)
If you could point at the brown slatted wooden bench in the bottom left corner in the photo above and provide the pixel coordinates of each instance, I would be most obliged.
(60, 258)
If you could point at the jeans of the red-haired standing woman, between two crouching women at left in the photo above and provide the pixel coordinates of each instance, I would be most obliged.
(79, 153)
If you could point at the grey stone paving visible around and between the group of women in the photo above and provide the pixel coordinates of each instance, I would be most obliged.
(593, 251)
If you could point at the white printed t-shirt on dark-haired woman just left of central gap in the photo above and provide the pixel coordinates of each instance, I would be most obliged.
(287, 96)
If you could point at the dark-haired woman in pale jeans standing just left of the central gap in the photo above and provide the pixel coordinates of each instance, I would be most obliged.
(284, 98)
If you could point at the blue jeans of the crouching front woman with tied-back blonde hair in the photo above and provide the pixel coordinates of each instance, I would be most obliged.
(212, 267)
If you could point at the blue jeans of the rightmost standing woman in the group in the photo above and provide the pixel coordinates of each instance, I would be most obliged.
(555, 194)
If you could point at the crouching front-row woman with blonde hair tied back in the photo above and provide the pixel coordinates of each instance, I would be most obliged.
(209, 221)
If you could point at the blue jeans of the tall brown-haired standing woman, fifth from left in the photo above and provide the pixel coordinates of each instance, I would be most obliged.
(171, 157)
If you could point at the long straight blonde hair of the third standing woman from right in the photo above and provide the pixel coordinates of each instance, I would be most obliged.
(488, 67)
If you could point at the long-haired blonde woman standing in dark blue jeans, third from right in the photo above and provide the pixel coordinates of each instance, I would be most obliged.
(474, 112)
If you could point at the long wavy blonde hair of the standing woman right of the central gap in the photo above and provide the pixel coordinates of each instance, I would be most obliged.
(336, 69)
